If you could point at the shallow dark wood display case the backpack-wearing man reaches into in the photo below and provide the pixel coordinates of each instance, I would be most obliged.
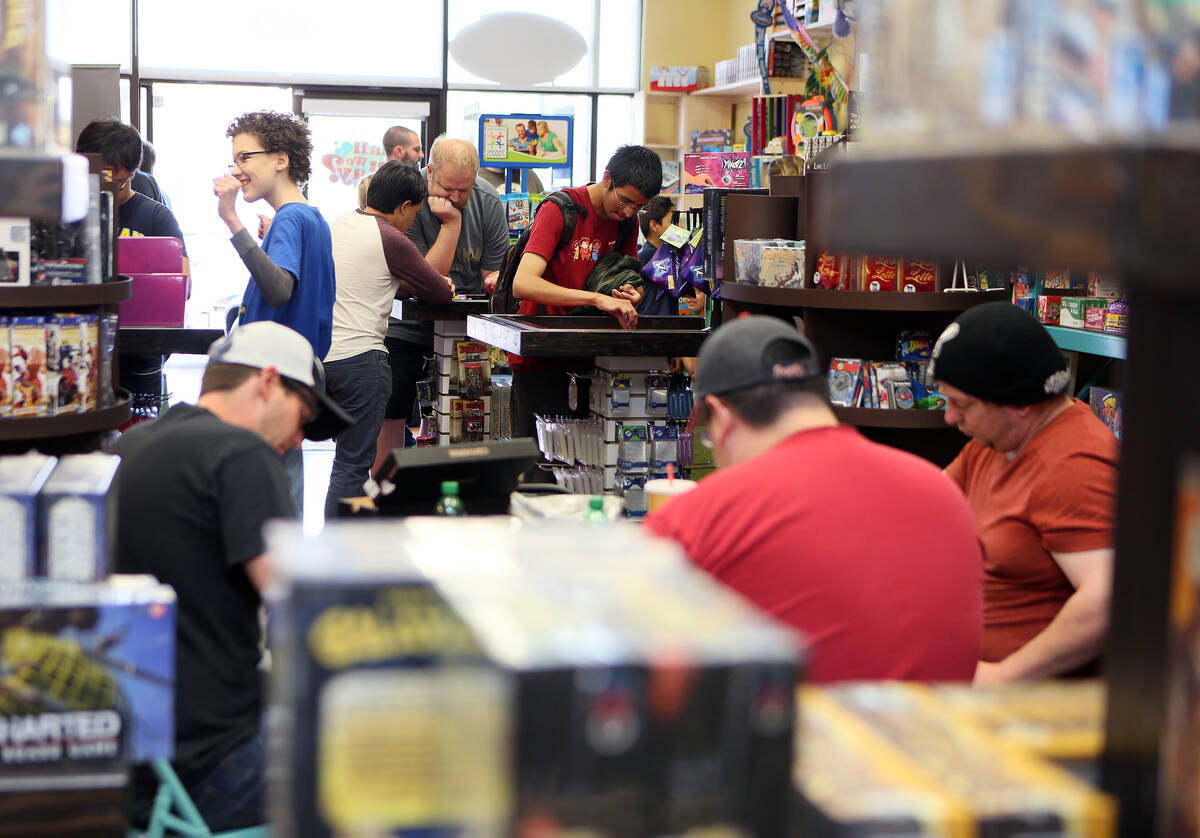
(585, 337)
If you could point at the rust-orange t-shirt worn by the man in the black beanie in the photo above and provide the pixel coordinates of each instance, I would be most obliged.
(1058, 495)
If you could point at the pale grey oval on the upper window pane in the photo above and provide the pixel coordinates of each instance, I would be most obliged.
(518, 49)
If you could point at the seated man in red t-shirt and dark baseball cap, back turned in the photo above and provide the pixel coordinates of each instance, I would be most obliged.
(867, 549)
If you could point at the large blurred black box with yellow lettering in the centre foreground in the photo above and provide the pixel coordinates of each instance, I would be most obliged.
(490, 691)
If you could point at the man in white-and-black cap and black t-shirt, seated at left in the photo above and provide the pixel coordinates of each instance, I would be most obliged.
(195, 489)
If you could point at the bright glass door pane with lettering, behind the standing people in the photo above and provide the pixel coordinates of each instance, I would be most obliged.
(347, 145)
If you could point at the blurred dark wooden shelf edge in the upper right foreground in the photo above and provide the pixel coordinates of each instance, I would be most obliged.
(1115, 207)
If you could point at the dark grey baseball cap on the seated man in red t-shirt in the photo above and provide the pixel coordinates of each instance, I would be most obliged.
(754, 351)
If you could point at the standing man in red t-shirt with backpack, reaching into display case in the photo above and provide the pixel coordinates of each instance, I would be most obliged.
(550, 280)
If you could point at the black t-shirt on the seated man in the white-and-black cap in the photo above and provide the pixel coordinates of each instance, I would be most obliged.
(194, 494)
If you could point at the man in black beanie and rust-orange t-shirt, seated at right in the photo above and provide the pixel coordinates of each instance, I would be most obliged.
(1040, 475)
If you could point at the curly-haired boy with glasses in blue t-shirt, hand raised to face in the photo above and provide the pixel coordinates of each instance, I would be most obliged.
(292, 274)
